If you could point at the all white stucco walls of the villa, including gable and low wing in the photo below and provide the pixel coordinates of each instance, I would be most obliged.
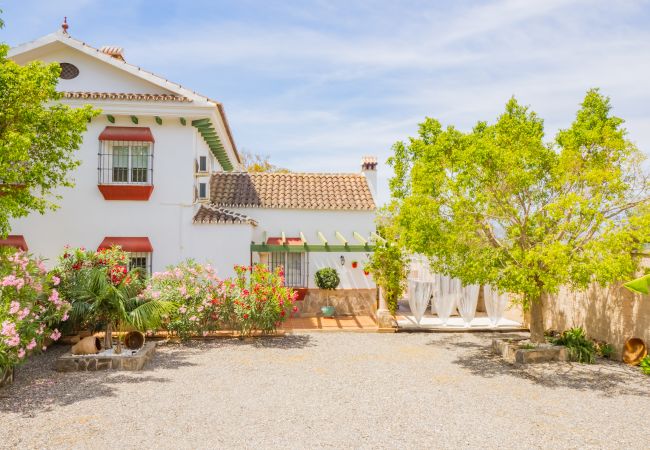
(85, 217)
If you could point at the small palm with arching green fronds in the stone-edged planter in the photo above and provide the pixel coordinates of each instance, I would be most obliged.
(100, 297)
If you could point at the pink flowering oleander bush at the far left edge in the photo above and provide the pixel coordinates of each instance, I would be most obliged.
(30, 306)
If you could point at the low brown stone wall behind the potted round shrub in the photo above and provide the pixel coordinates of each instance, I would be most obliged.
(348, 302)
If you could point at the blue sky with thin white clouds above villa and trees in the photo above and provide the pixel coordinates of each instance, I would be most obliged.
(318, 84)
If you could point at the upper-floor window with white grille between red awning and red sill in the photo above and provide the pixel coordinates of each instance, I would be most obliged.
(124, 162)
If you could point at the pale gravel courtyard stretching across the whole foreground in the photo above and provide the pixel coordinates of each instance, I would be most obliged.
(319, 390)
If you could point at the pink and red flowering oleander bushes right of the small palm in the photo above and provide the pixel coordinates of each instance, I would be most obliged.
(254, 300)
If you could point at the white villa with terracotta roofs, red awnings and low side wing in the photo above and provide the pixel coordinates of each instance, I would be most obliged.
(161, 176)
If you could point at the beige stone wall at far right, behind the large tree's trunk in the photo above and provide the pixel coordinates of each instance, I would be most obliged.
(610, 314)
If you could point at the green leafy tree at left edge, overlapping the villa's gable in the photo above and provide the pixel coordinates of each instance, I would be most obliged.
(38, 138)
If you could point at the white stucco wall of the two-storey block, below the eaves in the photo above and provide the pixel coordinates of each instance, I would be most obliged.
(85, 218)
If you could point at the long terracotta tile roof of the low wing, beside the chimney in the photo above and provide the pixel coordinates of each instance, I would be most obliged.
(331, 191)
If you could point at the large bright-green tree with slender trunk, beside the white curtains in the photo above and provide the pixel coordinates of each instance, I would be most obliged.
(499, 206)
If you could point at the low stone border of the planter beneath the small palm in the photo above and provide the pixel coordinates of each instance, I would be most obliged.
(74, 363)
